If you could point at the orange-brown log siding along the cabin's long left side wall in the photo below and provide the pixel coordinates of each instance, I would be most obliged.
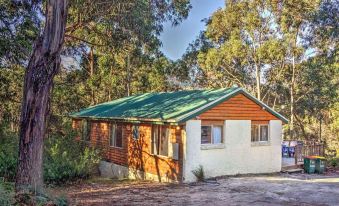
(136, 154)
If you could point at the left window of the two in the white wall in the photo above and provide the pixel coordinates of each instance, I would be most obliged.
(211, 134)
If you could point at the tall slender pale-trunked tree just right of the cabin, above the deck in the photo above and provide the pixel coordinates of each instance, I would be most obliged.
(293, 18)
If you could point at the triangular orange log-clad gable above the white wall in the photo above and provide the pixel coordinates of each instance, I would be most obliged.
(238, 107)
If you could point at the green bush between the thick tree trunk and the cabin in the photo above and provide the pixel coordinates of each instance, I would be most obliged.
(67, 159)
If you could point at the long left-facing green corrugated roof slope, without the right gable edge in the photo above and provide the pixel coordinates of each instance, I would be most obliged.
(161, 106)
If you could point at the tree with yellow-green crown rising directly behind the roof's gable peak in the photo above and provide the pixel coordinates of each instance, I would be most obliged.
(241, 34)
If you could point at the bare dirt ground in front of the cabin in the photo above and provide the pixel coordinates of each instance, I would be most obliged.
(280, 189)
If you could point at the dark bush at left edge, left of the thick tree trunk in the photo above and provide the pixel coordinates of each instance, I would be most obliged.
(8, 154)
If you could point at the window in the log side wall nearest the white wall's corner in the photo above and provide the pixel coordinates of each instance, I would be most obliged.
(160, 140)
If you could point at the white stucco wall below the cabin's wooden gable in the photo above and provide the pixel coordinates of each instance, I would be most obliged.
(237, 155)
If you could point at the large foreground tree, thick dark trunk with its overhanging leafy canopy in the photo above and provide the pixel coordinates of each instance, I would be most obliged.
(96, 26)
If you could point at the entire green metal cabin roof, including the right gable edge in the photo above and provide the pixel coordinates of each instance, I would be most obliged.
(175, 107)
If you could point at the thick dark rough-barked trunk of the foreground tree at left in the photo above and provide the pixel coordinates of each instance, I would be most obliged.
(44, 64)
